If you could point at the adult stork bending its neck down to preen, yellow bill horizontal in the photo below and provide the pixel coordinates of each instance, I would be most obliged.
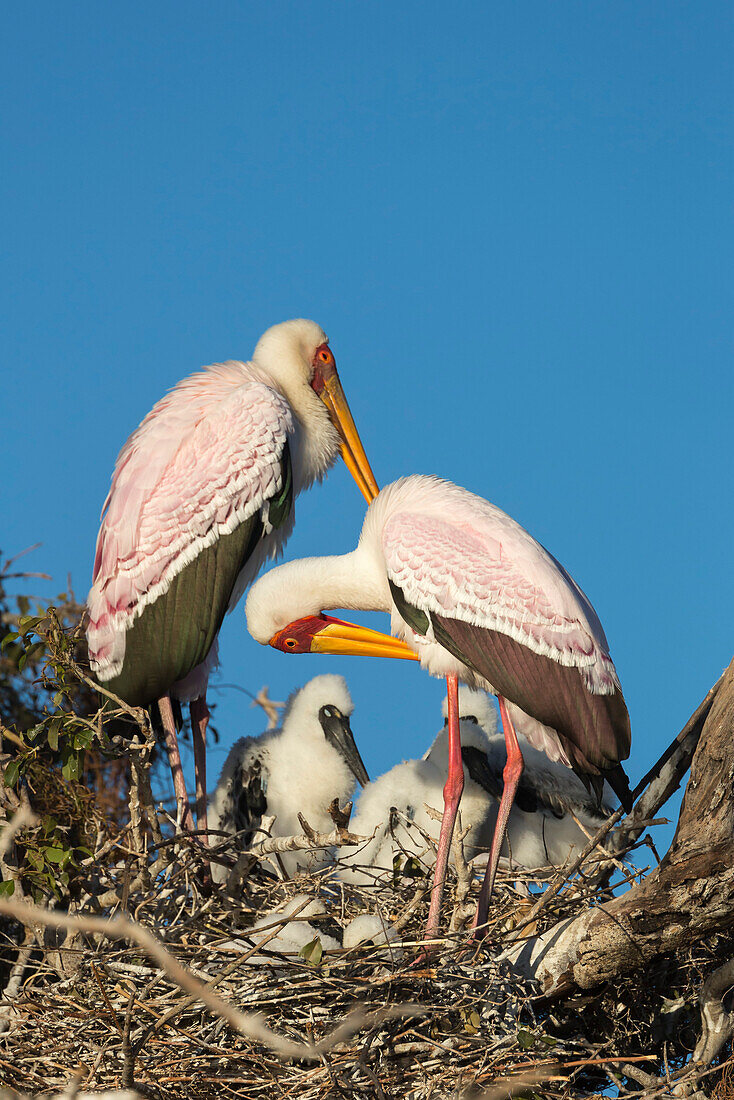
(475, 598)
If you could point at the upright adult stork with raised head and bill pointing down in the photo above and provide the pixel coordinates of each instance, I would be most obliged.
(202, 496)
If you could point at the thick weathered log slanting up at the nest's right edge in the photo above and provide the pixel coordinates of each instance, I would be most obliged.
(688, 897)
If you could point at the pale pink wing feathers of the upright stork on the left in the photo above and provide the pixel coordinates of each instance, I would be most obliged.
(203, 461)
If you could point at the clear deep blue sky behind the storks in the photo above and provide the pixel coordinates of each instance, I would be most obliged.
(514, 223)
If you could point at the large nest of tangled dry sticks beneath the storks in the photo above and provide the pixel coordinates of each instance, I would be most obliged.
(380, 1019)
